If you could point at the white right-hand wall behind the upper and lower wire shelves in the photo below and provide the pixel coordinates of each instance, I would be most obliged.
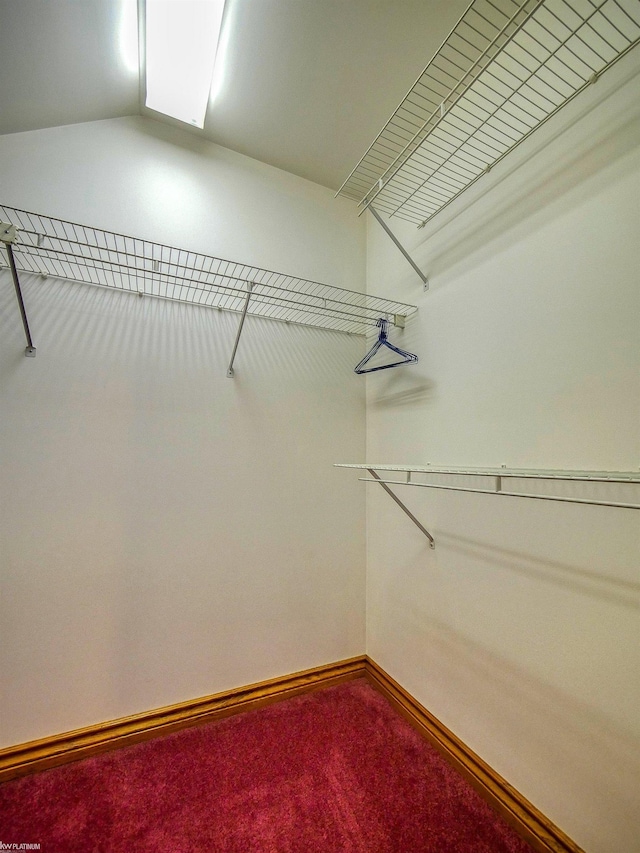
(520, 631)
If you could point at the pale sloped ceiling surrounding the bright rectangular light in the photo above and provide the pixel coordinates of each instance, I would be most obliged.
(304, 85)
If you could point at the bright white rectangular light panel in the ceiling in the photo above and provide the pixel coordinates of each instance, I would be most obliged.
(181, 43)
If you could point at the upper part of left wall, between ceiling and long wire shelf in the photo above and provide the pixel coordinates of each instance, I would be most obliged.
(138, 176)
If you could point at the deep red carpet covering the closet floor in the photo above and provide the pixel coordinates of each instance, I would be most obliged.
(336, 771)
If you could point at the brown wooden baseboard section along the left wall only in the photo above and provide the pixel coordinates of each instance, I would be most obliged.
(59, 749)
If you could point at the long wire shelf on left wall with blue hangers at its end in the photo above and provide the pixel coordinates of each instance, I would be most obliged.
(55, 247)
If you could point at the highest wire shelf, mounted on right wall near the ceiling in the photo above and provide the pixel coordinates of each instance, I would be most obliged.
(506, 67)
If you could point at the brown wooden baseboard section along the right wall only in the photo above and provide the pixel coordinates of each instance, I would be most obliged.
(531, 824)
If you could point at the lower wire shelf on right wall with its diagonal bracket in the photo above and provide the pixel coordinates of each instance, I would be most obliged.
(619, 489)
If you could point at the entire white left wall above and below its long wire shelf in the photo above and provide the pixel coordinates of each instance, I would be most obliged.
(166, 532)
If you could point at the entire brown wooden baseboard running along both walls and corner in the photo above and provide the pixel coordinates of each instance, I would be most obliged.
(531, 824)
